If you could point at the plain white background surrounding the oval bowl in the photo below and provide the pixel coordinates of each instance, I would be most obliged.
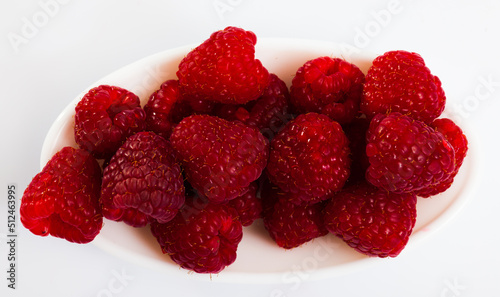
(52, 50)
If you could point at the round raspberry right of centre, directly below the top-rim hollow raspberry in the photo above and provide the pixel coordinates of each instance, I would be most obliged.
(309, 158)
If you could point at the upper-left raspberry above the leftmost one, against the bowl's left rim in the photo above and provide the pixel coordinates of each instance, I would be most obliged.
(105, 117)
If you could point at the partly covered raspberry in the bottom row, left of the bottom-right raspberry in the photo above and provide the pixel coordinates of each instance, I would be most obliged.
(290, 225)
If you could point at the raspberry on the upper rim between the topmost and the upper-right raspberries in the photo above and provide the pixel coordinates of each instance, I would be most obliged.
(329, 86)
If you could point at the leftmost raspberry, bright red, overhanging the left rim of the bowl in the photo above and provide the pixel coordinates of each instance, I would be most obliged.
(63, 199)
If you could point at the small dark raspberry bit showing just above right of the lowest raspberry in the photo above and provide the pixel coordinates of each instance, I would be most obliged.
(248, 205)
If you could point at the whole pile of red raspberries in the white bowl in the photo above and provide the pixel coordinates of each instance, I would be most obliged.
(227, 143)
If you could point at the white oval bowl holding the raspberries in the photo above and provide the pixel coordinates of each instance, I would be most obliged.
(259, 259)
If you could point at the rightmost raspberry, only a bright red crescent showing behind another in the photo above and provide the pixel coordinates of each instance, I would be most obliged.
(458, 140)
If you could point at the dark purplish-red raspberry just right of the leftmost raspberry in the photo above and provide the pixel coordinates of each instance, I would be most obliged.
(142, 182)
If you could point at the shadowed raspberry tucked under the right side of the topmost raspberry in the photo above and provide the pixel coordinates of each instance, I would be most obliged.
(269, 113)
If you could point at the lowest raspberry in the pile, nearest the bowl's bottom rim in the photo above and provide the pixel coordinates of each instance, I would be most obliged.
(203, 237)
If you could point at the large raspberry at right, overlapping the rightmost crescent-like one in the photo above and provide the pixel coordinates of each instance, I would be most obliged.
(406, 155)
